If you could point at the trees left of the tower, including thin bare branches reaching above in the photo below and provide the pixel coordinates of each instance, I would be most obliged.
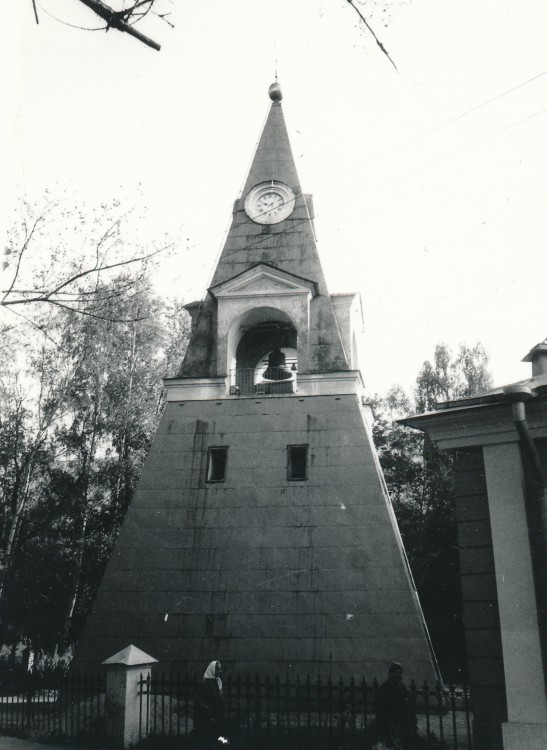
(80, 392)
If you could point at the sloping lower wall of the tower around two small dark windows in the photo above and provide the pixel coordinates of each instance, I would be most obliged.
(266, 574)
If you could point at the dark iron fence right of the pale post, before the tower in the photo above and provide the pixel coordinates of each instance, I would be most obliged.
(306, 713)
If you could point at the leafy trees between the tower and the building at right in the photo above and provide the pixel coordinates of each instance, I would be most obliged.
(420, 481)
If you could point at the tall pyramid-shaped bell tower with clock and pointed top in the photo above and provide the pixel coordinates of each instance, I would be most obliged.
(261, 532)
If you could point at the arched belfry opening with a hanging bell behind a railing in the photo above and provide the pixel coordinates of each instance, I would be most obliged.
(266, 359)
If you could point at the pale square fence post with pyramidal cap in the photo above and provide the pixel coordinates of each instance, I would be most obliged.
(122, 702)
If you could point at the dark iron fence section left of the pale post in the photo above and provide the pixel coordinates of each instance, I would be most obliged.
(58, 705)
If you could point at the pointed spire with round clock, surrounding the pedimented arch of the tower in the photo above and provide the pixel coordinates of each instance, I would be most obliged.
(272, 224)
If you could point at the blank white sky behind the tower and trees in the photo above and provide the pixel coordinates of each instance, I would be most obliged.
(442, 227)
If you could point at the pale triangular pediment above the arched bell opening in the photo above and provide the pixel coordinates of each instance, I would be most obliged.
(264, 280)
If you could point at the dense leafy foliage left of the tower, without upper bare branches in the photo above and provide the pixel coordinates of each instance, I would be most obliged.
(79, 408)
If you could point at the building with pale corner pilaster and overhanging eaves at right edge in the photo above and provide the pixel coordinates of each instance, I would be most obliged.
(500, 444)
